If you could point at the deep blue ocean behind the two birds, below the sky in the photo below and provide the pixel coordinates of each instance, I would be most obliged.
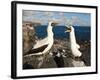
(81, 32)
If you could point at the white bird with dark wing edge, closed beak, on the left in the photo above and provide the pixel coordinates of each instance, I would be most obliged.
(43, 46)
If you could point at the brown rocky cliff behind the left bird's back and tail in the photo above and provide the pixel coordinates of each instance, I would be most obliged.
(28, 37)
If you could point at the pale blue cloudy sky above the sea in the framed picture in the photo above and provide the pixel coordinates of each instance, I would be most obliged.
(75, 19)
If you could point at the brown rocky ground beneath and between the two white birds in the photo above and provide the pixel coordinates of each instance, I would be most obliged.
(68, 60)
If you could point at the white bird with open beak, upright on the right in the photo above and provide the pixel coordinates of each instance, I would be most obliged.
(74, 46)
